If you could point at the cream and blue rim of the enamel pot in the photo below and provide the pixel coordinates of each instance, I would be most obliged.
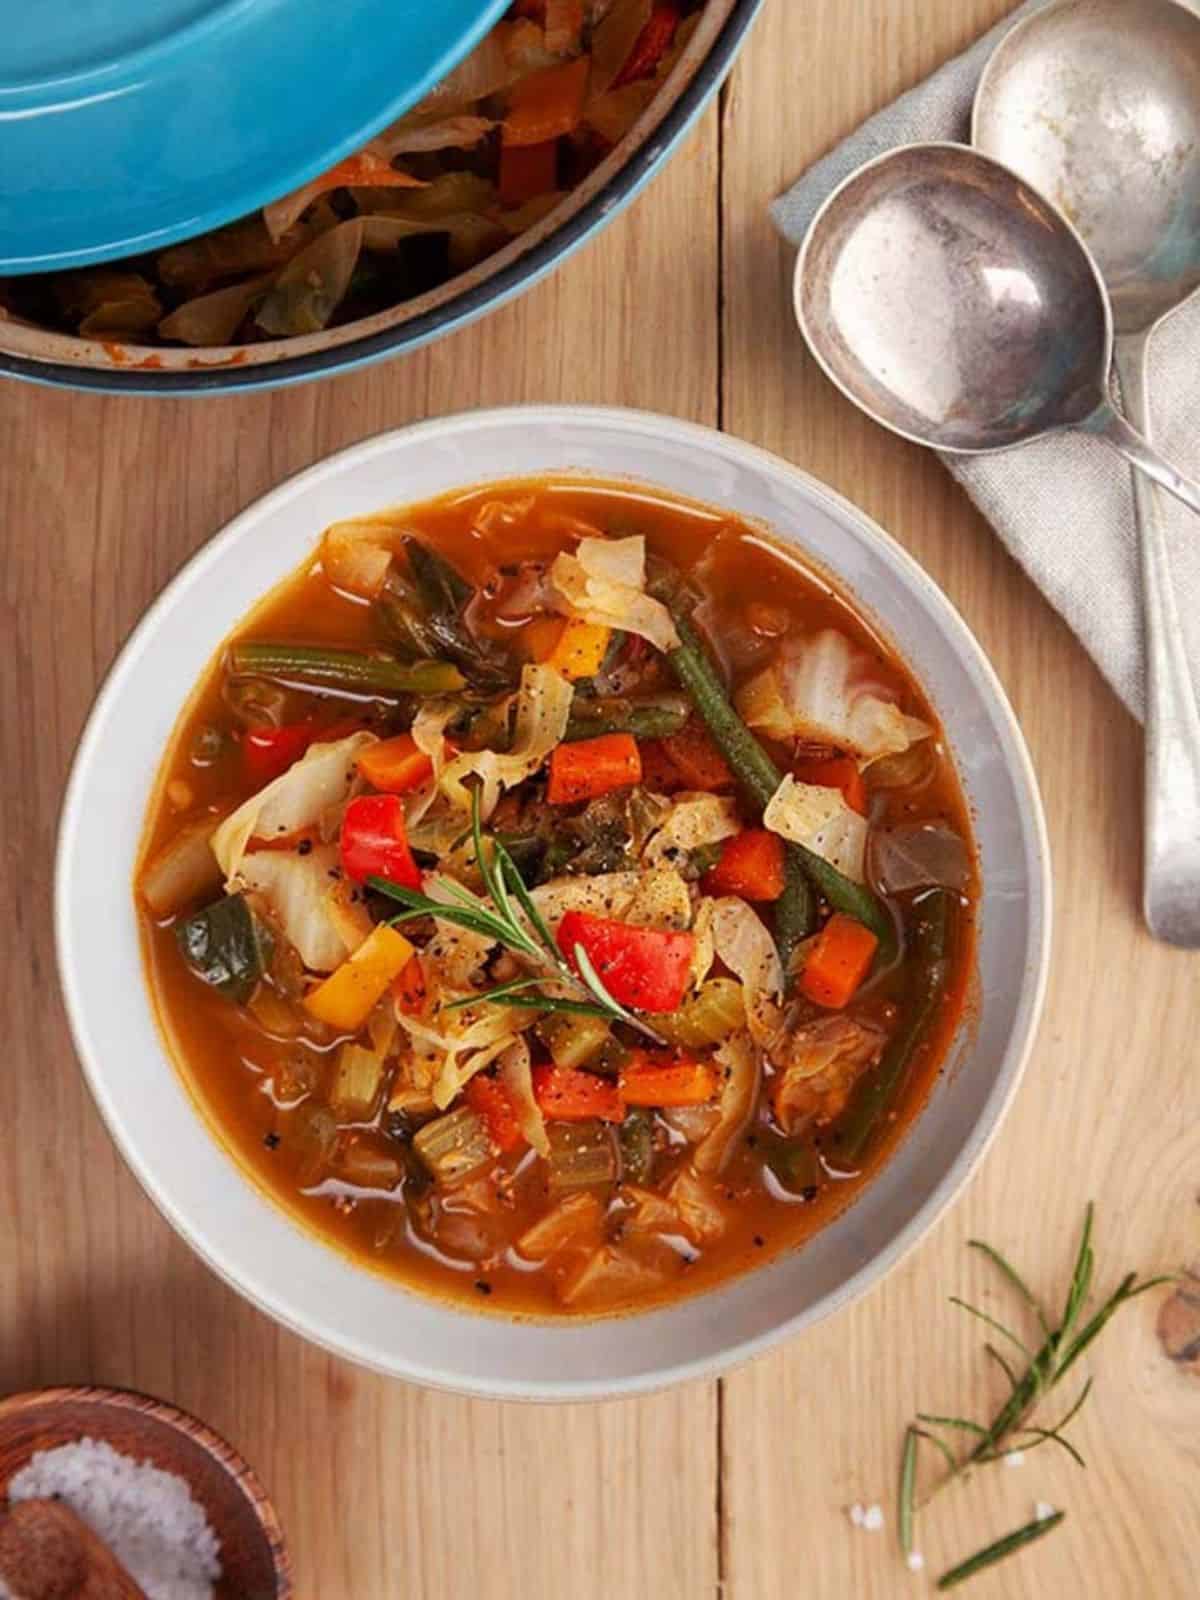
(74, 362)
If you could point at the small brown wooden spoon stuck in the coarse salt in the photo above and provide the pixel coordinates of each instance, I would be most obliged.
(47, 1553)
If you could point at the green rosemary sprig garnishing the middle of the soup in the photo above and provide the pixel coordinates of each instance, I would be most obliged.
(503, 926)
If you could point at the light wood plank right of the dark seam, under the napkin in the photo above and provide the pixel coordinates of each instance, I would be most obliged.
(1110, 1106)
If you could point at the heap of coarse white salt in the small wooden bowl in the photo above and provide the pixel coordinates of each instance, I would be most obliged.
(146, 1518)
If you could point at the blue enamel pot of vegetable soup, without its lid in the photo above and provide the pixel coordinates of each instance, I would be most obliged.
(537, 140)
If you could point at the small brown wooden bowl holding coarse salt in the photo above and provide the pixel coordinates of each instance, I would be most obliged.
(254, 1558)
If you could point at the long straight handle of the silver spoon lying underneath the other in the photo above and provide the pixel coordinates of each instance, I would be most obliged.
(1172, 825)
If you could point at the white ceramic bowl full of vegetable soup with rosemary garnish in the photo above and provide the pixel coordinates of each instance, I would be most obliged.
(567, 932)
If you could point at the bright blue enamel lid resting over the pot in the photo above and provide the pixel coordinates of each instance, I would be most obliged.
(127, 126)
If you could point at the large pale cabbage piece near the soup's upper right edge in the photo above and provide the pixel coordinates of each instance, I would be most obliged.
(818, 689)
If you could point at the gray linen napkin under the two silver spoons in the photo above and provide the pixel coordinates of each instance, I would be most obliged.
(1063, 506)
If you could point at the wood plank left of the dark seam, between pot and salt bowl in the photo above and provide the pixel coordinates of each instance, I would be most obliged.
(385, 1490)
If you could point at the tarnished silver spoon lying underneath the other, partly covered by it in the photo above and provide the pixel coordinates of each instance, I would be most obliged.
(1097, 103)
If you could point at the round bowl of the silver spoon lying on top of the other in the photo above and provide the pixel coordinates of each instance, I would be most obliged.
(953, 303)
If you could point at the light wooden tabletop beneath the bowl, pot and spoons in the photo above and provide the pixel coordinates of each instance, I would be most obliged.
(735, 1487)
